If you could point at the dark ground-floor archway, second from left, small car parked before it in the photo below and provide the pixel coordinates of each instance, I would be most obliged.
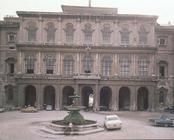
(49, 96)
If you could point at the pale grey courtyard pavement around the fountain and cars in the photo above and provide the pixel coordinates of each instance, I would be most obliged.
(18, 126)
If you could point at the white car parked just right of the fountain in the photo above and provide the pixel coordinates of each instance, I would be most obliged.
(112, 122)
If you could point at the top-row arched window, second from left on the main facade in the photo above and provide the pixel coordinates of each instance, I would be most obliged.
(50, 32)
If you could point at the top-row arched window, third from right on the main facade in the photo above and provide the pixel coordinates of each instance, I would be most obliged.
(106, 33)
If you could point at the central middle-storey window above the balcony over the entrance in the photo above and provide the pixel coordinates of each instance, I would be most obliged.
(87, 64)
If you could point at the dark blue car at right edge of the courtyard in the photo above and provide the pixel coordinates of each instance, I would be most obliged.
(164, 120)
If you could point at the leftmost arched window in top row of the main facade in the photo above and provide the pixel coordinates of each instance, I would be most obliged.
(32, 30)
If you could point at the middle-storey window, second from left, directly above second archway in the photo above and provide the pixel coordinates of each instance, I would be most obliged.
(49, 64)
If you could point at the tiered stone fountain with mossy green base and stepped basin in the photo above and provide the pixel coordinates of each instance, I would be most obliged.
(72, 124)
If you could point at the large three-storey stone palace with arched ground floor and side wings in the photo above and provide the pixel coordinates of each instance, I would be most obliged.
(117, 61)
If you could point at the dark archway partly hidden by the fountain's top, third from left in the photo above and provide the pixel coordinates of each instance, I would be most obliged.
(67, 91)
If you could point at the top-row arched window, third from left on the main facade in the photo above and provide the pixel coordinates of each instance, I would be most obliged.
(69, 33)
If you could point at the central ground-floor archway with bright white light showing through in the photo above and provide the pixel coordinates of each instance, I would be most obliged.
(87, 93)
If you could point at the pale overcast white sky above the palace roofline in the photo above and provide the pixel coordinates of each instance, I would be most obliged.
(164, 9)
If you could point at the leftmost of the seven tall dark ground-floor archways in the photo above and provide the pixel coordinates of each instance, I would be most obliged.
(30, 95)
